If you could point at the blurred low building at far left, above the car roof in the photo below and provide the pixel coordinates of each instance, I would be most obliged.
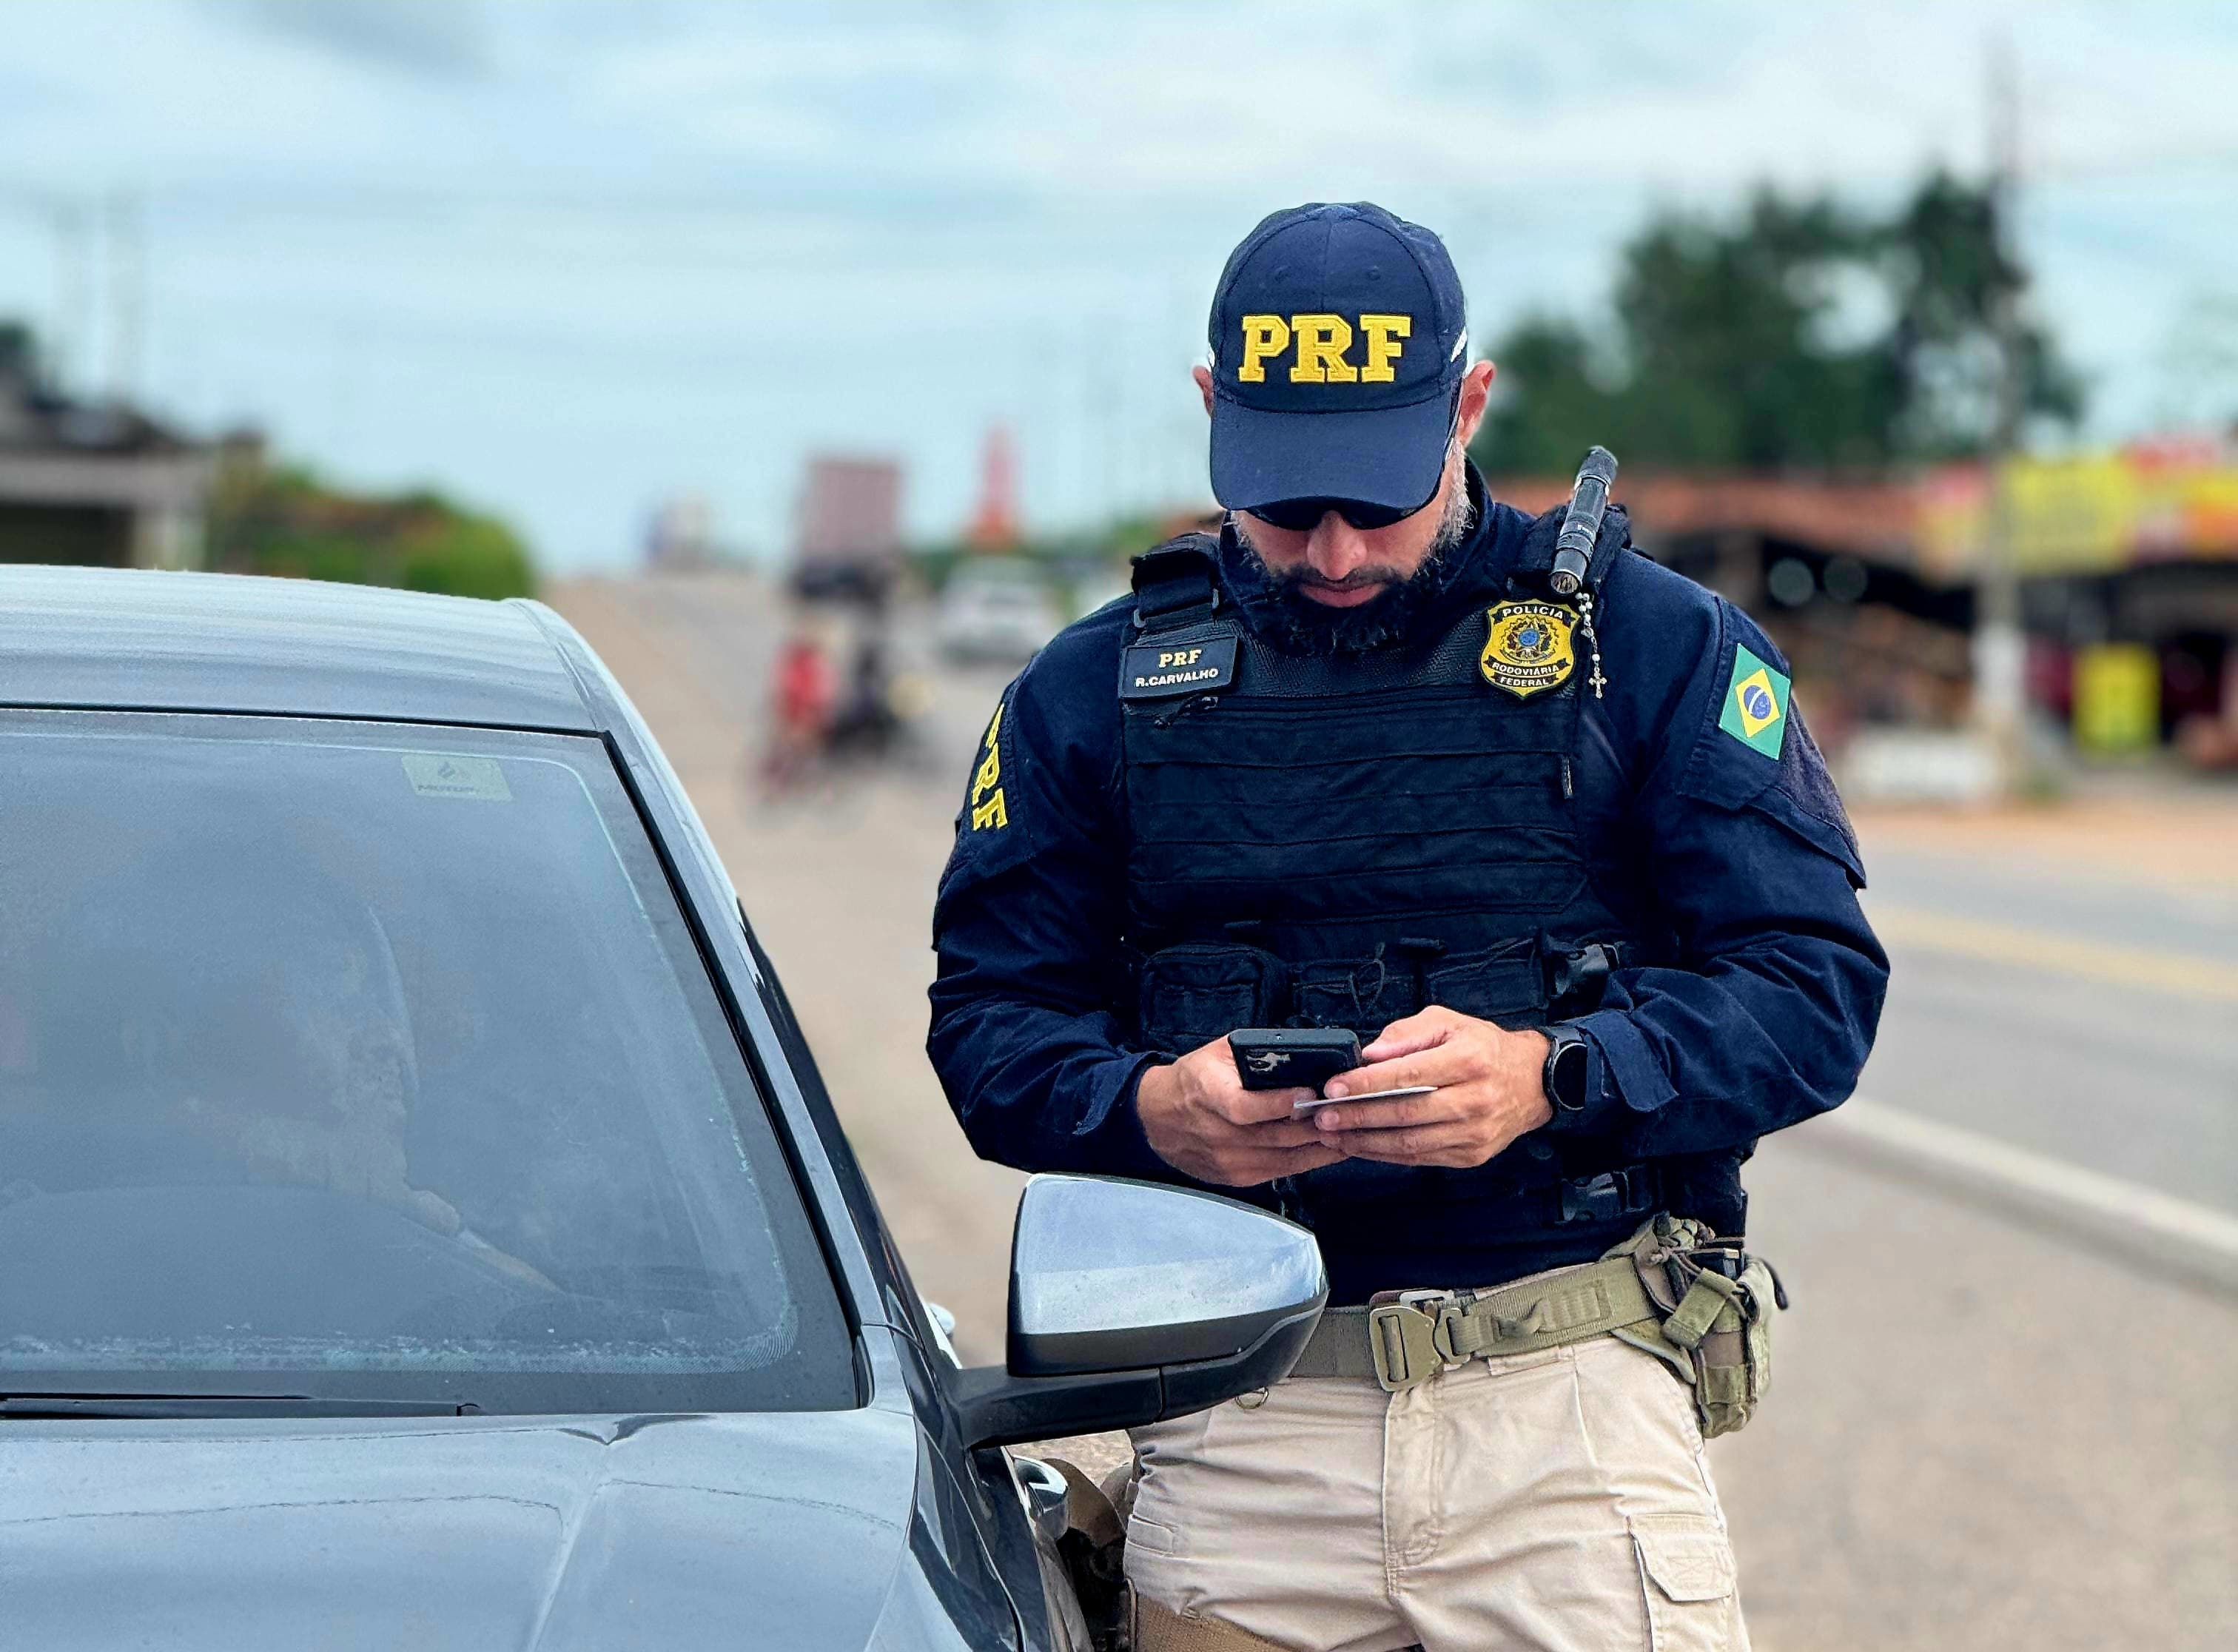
(97, 485)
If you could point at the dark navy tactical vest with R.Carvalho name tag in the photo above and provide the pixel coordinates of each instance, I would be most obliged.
(1344, 841)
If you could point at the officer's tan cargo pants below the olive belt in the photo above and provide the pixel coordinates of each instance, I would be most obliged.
(1539, 1501)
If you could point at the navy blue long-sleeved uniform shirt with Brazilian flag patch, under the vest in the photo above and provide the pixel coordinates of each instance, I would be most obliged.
(1742, 861)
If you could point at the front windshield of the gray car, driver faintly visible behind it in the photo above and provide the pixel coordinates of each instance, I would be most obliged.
(379, 1062)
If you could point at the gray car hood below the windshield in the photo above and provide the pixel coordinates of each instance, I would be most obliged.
(480, 1532)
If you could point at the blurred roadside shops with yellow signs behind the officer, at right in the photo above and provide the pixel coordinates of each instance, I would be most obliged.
(2127, 563)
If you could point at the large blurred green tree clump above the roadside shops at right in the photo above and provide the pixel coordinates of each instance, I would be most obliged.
(1794, 337)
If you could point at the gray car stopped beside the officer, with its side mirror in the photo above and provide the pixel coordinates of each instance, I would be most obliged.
(422, 1221)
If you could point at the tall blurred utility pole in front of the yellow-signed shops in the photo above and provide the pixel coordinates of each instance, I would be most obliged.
(2000, 644)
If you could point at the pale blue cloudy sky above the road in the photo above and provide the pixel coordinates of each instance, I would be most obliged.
(570, 261)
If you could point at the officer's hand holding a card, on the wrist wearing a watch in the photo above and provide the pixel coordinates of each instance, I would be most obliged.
(1489, 1091)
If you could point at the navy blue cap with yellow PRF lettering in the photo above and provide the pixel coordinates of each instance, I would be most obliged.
(1339, 346)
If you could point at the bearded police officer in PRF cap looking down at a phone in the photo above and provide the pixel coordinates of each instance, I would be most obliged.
(1568, 861)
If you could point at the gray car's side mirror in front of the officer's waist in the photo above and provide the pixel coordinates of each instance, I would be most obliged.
(1134, 1302)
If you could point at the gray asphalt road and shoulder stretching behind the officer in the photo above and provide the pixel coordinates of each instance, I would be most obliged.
(1993, 1427)
